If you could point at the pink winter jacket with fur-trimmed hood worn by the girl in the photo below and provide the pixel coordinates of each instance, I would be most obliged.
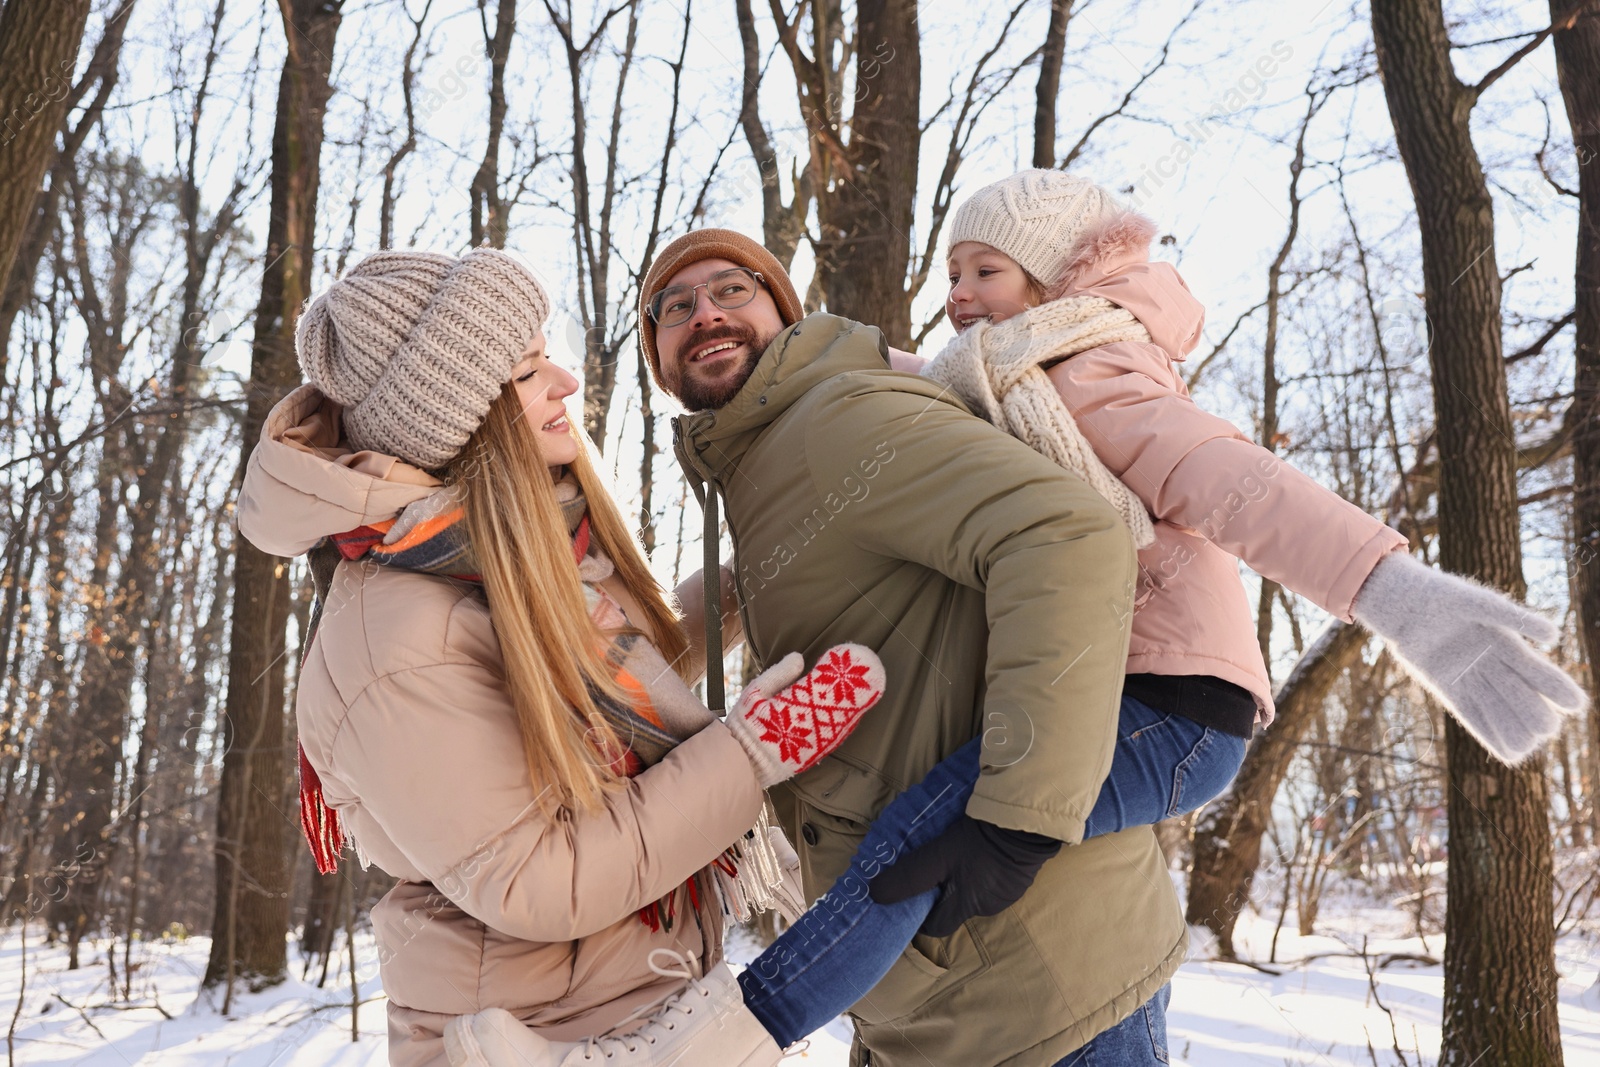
(1214, 494)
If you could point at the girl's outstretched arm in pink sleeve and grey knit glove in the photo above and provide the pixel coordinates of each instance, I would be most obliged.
(1466, 644)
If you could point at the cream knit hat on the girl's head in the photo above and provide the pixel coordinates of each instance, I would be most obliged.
(1034, 217)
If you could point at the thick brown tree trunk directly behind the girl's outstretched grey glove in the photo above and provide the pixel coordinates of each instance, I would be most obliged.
(1500, 946)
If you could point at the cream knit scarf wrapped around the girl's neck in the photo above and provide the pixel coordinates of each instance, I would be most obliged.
(999, 370)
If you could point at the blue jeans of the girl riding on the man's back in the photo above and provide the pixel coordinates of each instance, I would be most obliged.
(1164, 765)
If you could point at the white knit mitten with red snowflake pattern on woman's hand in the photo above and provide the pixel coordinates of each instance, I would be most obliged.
(788, 732)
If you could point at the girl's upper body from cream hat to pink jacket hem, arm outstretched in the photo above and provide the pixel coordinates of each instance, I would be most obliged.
(1070, 338)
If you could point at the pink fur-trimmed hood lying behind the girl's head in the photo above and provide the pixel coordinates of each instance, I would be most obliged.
(1114, 263)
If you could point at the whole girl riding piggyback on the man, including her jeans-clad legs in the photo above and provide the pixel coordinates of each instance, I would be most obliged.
(1068, 337)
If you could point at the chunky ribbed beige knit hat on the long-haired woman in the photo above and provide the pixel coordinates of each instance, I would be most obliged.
(417, 346)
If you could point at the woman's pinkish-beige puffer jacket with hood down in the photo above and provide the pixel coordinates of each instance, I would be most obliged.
(404, 713)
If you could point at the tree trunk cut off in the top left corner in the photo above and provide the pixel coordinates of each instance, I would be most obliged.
(39, 49)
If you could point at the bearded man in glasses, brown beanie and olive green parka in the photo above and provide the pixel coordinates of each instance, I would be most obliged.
(871, 506)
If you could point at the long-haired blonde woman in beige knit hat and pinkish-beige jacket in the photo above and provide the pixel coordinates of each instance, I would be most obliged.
(486, 698)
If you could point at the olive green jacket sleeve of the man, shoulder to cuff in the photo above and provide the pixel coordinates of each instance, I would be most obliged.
(1057, 569)
